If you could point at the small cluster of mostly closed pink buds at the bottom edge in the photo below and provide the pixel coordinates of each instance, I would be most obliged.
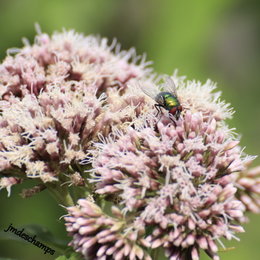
(97, 235)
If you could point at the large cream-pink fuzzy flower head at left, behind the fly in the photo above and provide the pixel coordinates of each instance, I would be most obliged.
(56, 96)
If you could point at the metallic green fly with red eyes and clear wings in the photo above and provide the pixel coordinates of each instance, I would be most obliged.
(166, 97)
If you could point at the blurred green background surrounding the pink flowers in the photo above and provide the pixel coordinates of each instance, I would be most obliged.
(217, 39)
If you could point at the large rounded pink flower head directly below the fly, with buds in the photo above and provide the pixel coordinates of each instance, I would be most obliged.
(177, 179)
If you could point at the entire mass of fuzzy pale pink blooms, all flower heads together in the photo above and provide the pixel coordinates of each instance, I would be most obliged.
(72, 114)
